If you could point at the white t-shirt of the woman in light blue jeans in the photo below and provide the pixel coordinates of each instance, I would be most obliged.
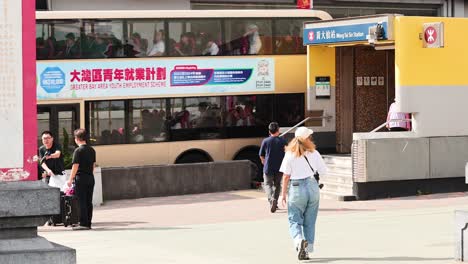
(298, 168)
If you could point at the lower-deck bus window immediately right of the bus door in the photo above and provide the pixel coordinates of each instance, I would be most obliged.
(107, 122)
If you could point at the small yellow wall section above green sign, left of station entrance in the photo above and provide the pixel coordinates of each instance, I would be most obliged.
(322, 63)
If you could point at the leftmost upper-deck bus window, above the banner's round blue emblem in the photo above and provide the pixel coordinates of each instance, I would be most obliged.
(58, 40)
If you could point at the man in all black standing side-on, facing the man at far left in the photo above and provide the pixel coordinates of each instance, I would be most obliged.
(84, 160)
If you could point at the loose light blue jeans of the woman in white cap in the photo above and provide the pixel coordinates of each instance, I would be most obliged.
(303, 202)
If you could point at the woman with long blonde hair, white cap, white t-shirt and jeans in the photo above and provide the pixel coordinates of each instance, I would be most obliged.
(299, 165)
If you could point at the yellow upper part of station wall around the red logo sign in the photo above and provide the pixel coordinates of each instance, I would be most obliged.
(416, 65)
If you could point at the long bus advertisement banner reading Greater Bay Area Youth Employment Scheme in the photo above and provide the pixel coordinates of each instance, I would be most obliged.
(146, 77)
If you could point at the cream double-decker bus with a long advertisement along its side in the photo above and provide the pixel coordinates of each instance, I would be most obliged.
(165, 87)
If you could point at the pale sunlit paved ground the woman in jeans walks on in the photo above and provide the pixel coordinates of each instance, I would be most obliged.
(236, 227)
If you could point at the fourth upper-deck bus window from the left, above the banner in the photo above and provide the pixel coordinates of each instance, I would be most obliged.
(194, 37)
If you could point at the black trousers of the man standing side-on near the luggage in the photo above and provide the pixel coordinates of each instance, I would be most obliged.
(84, 187)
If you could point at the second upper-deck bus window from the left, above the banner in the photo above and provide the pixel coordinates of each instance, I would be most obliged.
(102, 39)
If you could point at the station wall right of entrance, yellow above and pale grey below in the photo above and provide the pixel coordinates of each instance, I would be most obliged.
(432, 83)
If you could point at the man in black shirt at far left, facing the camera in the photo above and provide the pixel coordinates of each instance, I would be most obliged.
(51, 158)
